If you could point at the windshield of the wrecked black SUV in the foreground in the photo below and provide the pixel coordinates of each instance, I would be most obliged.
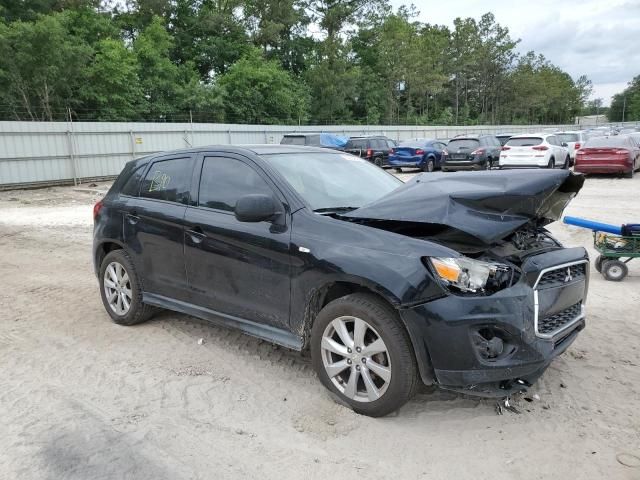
(333, 180)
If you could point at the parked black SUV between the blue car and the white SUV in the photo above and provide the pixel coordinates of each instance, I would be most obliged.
(471, 152)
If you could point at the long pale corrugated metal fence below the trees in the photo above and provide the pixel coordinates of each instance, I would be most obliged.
(46, 153)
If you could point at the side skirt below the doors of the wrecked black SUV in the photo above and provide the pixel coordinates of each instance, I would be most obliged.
(265, 332)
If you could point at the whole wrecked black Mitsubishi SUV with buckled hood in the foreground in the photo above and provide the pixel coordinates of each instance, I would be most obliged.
(284, 243)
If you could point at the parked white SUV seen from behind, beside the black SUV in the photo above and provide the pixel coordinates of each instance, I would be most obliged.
(542, 150)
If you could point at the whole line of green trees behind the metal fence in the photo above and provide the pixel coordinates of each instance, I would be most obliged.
(270, 61)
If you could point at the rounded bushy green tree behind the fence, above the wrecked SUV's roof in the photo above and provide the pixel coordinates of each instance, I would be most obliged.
(257, 90)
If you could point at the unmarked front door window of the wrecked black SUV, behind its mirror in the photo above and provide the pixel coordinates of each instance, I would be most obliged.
(225, 180)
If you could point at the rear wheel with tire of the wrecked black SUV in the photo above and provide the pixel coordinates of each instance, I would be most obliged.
(121, 290)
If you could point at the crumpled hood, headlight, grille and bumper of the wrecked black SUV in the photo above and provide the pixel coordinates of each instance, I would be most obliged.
(515, 295)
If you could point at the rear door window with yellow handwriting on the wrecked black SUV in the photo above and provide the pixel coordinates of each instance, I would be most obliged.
(169, 180)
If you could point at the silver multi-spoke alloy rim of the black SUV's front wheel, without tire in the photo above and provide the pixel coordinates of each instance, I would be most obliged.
(356, 359)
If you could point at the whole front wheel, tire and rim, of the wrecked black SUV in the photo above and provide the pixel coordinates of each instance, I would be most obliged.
(363, 355)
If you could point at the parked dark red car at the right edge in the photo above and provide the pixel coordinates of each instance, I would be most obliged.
(619, 154)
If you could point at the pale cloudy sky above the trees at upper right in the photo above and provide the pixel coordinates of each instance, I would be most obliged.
(598, 38)
